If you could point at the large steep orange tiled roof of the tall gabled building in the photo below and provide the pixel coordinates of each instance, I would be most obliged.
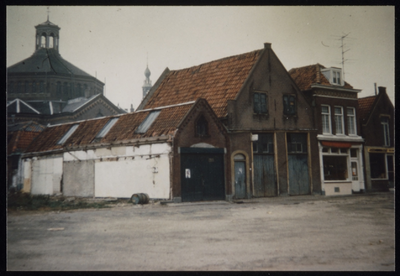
(217, 81)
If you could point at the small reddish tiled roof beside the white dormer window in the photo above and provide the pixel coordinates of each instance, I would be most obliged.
(305, 76)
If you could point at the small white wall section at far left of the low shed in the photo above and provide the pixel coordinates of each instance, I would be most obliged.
(46, 175)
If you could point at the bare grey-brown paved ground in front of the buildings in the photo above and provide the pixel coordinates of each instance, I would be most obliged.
(285, 233)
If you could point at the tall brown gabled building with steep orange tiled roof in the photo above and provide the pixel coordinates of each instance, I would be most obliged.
(269, 122)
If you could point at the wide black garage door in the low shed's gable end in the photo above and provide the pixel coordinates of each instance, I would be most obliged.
(202, 174)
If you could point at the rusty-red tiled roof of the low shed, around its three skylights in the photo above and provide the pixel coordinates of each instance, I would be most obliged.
(124, 129)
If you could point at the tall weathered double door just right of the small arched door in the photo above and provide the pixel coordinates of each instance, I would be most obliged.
(264, 168)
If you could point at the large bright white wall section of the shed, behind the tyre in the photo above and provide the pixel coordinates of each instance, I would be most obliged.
(124, 170)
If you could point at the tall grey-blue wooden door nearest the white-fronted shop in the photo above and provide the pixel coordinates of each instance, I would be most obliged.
(299, 183)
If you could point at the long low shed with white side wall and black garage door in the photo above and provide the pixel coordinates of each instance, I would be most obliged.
(141, 152)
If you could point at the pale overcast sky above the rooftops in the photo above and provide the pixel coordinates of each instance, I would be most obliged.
(116, 43)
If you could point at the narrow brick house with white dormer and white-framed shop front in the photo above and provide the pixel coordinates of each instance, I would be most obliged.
(340, 145)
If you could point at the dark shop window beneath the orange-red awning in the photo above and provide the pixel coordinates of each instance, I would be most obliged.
(335, 167)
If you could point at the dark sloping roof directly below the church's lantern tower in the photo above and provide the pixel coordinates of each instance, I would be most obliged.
(46, 61)
